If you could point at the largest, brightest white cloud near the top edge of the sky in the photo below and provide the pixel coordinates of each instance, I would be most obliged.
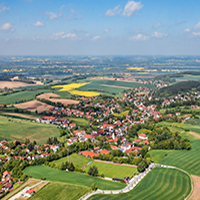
(131, 8)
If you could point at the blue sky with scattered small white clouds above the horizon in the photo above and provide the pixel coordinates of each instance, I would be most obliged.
(99, 27)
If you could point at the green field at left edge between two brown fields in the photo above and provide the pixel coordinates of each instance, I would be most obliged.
(19, 96)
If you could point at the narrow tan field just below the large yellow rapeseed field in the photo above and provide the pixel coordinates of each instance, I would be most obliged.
(63, 101)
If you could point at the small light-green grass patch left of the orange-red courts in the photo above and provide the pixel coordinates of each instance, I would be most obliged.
(78, 161)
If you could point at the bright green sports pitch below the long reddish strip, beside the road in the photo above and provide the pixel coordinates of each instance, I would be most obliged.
(113, 171)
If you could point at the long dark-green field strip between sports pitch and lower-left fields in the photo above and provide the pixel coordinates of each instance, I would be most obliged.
(76, 178)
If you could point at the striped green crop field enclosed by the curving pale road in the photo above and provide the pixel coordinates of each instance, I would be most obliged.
(159, 184)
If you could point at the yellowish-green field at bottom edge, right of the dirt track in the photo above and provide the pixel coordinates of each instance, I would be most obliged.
(61, 191)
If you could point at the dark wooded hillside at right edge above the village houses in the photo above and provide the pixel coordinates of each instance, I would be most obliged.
(174, 89)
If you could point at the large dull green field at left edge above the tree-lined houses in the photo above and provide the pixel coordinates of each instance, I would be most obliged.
(14, 129)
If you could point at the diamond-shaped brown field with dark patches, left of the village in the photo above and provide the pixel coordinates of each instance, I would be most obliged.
(33, 106)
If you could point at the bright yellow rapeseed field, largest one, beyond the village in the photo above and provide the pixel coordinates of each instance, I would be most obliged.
(71, 89)
